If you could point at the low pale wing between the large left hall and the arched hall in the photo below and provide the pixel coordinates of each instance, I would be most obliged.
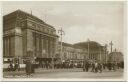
(69, 52)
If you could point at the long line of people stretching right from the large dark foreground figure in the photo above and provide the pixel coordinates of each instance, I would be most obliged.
(93, 66)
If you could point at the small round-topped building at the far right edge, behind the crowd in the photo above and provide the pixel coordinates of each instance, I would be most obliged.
(116, 57)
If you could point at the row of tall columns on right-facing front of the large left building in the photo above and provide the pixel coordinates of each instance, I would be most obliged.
(44, 46)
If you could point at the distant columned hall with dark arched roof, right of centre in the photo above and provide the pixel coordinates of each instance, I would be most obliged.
(95, 51)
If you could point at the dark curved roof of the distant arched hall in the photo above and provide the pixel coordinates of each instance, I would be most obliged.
(94, 46)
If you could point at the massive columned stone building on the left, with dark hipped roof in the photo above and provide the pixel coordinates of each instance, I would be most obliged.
(25, 35)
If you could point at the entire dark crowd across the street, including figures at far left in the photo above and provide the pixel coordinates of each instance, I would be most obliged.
(95, 66)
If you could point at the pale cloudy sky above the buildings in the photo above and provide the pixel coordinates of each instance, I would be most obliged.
(98, 21)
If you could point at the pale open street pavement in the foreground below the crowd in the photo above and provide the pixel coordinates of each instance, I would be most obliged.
(66, 73)
